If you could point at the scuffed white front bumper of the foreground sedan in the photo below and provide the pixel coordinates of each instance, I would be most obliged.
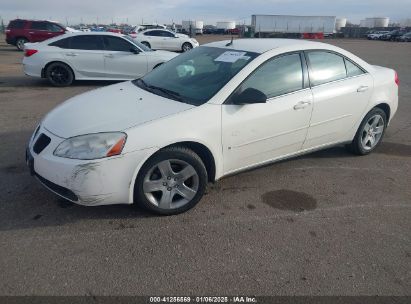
(86, 182)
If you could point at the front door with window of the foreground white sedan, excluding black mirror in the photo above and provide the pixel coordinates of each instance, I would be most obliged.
(256, 133)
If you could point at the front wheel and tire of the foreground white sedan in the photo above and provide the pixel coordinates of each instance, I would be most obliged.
(168, 191)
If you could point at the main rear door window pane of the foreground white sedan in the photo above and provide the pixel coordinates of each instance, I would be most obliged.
(326, 67)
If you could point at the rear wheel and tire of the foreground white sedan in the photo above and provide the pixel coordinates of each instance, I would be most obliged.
(370, 132)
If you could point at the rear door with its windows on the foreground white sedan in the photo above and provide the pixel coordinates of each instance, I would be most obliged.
(341, 91)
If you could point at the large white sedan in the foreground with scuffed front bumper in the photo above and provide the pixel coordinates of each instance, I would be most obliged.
(219, 109)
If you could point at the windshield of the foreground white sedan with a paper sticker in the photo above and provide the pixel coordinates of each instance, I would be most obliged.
(196, 76)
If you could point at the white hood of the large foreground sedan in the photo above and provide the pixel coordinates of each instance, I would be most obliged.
(113, 108)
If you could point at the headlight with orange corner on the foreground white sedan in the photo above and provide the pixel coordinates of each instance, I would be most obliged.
(92, 146)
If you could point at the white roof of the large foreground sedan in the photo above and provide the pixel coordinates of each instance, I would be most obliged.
(262, 45)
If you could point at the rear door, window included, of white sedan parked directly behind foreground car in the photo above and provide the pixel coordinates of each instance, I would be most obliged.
(86, 55)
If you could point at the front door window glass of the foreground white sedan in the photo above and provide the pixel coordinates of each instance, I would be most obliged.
(276, 77)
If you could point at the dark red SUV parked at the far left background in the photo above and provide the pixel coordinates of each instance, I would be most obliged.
(20, 31)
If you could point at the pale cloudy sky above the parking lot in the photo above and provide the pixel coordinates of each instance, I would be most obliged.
(210, 11)
